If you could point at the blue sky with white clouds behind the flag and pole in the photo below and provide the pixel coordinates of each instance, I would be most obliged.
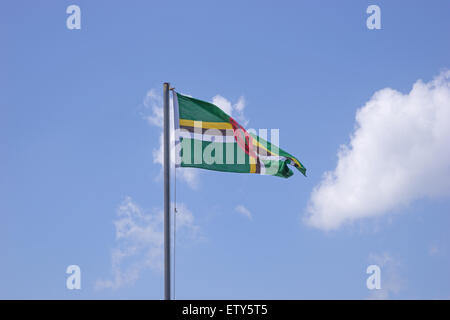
(78, 147)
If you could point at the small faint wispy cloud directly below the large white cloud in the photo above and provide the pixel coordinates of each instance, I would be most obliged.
(391, 281)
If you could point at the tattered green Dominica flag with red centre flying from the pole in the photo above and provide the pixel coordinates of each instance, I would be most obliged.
(208, 138)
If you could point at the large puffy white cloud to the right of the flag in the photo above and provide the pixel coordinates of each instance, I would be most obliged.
(398, 153)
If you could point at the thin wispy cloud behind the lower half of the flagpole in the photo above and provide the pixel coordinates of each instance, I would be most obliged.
(139, 239)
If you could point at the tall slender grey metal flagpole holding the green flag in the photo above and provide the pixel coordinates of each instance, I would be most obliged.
(166, 89)
